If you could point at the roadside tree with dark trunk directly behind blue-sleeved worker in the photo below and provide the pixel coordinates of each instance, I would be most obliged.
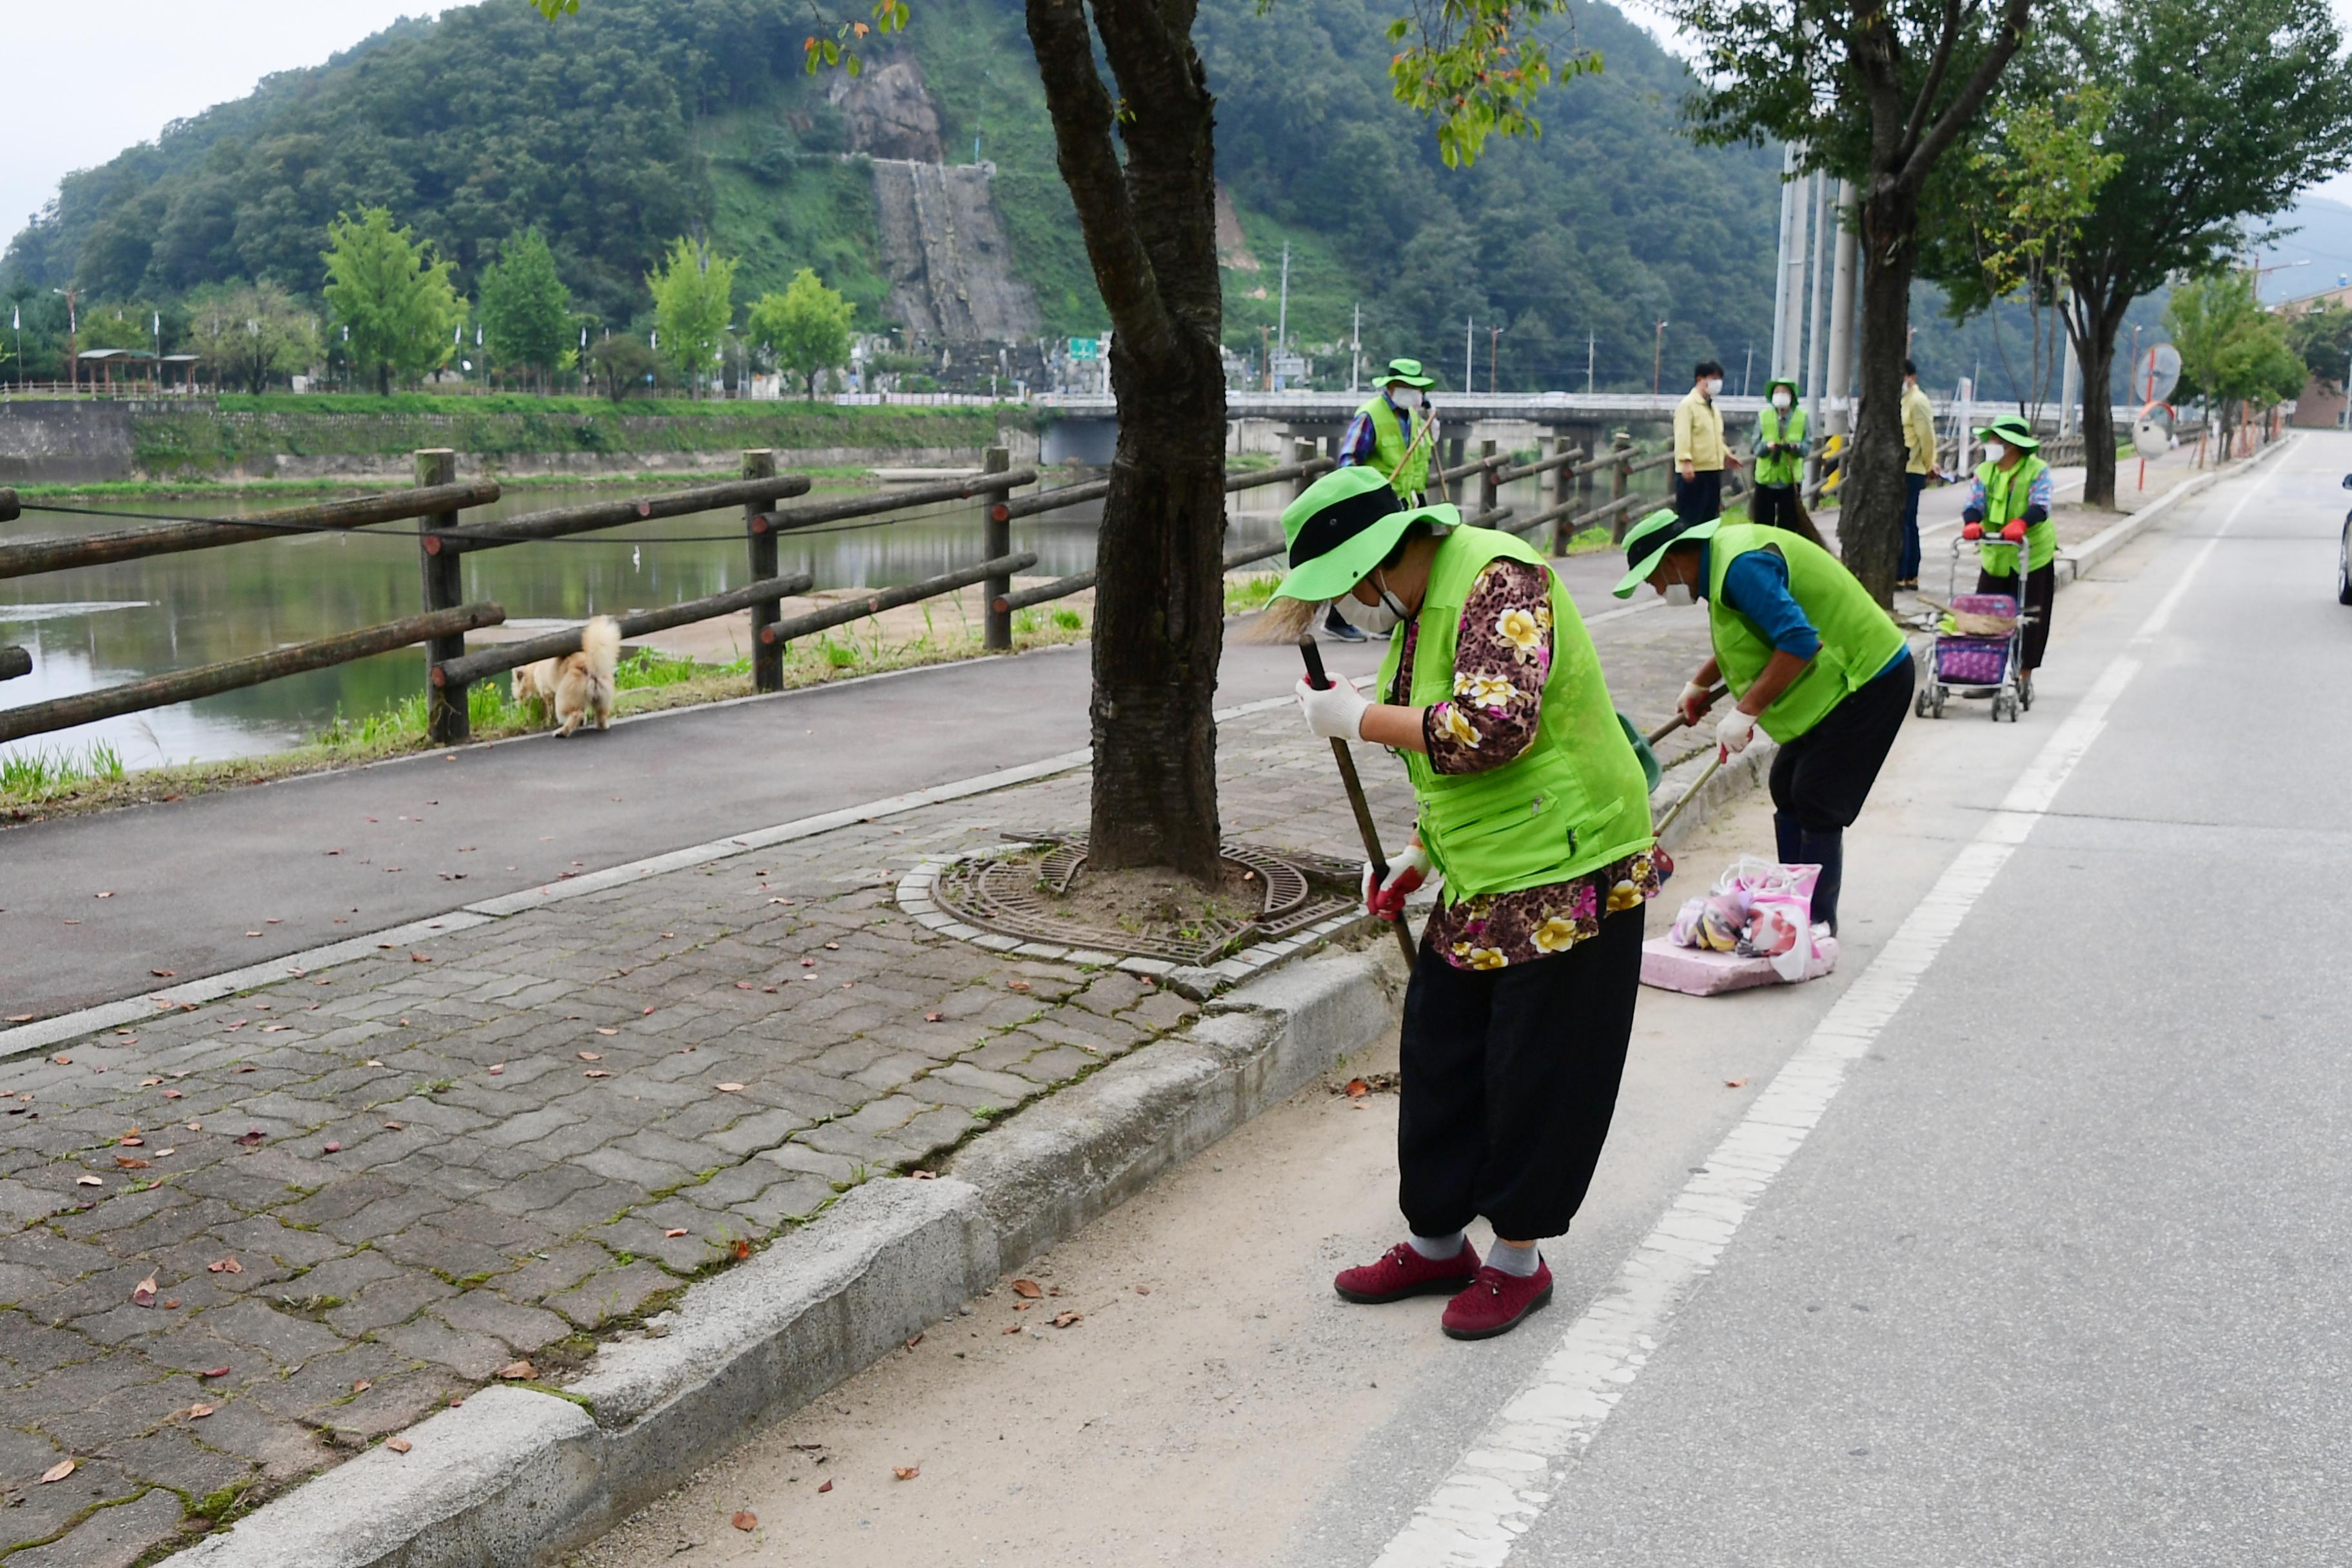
(1876, 93)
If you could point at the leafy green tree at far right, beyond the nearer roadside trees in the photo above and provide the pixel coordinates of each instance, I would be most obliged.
(2221, 114)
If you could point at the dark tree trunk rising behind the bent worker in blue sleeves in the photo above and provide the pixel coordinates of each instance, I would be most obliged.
(1871, 500)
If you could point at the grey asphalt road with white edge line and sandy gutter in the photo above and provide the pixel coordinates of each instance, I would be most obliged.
(2054, 1278)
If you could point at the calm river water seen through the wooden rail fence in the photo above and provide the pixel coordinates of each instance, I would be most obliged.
(105, 626)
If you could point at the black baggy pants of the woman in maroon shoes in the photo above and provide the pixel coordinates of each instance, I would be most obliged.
(1511, 1078)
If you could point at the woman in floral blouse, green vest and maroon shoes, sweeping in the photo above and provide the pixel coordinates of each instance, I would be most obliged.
(1535, 808)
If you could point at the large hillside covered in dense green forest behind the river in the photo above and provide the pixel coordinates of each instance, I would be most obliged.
(646, 119)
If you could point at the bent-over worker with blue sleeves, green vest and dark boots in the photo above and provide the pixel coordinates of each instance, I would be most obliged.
(1808, 655)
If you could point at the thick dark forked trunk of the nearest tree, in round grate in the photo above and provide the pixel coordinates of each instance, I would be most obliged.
(1151, 234)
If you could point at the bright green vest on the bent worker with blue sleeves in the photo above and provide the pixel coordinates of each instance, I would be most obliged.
(1857, 636)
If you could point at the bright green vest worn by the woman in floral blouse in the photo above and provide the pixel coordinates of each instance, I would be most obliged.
(1575, 800)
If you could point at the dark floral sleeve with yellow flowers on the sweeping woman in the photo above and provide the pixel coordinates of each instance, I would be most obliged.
(1502, 659)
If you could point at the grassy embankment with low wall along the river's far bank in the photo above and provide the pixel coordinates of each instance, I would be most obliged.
(196, 438)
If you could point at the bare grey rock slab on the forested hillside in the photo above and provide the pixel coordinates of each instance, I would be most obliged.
(947, 257)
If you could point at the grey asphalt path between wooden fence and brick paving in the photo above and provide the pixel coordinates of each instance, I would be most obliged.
(326, 857)
